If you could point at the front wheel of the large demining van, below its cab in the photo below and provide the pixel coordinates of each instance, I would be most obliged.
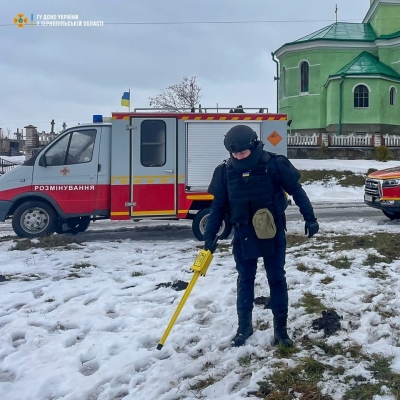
(34, 219)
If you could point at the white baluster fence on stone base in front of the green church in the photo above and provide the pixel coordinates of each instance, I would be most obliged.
(352, 146)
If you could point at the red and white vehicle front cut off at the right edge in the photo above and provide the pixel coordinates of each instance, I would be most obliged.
(382, 191)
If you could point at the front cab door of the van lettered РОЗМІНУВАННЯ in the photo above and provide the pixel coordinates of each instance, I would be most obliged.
(67, 171)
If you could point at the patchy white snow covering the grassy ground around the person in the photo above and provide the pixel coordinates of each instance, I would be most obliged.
(83, 322)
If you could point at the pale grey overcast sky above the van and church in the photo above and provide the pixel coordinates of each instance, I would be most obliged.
(69, 74)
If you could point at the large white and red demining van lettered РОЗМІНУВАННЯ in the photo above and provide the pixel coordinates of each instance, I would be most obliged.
(143, 164)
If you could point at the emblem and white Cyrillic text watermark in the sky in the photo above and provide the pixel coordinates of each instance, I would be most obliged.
(55, 20)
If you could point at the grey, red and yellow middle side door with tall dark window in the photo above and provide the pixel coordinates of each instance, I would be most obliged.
(153, 165)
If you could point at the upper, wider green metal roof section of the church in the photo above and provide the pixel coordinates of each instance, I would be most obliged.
(342, 31)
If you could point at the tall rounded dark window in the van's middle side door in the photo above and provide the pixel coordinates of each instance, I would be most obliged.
(153, 135)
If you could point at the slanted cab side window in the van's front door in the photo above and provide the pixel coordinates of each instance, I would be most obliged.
(74, 148)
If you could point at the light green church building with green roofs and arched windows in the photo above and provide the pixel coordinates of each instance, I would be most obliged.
(344, 78)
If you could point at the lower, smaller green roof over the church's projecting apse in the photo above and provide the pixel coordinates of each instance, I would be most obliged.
(367, 64)
